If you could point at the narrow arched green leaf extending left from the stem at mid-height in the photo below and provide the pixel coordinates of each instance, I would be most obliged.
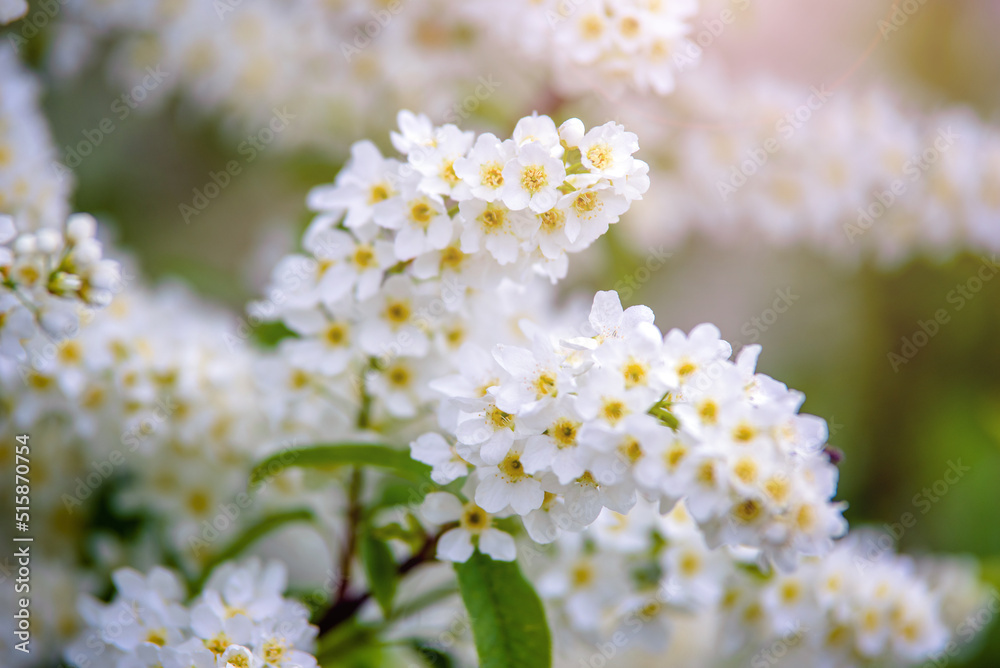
(343, 454)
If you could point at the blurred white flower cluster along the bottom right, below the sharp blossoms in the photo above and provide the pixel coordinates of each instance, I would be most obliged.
(644, 575)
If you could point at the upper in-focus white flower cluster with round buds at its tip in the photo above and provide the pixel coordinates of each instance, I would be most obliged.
(461, 206)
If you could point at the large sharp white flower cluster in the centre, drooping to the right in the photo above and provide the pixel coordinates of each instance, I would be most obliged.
(562, 429)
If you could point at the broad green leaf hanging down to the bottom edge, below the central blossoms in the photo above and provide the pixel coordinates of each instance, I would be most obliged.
(508, 620)
